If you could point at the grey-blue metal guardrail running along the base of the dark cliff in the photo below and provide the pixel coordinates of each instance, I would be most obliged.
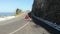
(55, 26)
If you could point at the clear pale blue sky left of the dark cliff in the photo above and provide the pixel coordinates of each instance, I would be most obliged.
(12, 5)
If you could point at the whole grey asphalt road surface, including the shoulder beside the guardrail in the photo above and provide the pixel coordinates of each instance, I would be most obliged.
(19, 25)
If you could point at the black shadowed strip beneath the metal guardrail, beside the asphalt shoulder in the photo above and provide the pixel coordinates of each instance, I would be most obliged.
(46, 27)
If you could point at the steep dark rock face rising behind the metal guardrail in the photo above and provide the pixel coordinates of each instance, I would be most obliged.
(47, 9)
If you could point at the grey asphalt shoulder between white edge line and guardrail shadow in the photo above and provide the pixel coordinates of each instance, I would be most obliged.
(32, 28)
